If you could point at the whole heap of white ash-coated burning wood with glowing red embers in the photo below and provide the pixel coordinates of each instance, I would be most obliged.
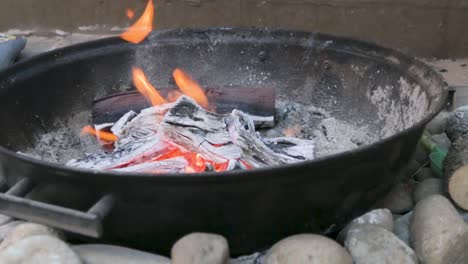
(206, 140)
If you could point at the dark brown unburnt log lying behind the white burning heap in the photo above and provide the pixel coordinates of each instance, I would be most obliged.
(258, 103)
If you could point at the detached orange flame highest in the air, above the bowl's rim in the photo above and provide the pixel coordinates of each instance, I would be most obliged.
(142, 27)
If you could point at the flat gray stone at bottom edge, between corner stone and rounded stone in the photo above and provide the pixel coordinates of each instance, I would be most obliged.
(106, 254)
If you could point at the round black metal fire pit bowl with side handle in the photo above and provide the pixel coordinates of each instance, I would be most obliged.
(363, 107)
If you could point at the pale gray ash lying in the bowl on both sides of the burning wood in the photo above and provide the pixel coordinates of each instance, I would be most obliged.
(330, 135)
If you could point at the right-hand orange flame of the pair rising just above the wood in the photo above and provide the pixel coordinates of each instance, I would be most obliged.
(190, 88)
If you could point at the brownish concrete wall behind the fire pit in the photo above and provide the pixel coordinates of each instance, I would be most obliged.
(421, 27)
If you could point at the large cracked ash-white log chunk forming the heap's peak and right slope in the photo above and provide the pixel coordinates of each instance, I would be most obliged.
(217, 137)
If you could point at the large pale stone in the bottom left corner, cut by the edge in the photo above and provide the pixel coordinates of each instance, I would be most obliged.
(39, 249)
